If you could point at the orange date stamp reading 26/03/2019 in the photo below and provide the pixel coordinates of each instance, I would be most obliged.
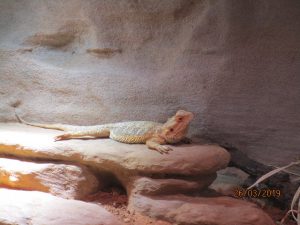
(257, 193)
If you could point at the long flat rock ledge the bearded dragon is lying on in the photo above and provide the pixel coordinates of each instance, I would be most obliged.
(123, 160)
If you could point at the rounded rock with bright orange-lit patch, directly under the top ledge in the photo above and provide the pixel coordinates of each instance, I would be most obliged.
(67, 181)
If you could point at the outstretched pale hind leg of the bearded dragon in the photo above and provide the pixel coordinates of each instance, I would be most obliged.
(92, 132)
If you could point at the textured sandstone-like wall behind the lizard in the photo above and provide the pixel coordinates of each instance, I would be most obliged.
(235, 64)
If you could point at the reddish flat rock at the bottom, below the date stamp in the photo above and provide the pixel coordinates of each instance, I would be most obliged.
(183, 210)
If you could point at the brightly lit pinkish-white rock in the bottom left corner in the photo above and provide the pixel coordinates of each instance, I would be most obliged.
(36, 208)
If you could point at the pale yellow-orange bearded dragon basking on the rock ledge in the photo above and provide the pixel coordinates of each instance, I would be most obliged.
(154, 135)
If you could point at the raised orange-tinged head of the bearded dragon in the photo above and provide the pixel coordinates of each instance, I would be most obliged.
(176, 127)
